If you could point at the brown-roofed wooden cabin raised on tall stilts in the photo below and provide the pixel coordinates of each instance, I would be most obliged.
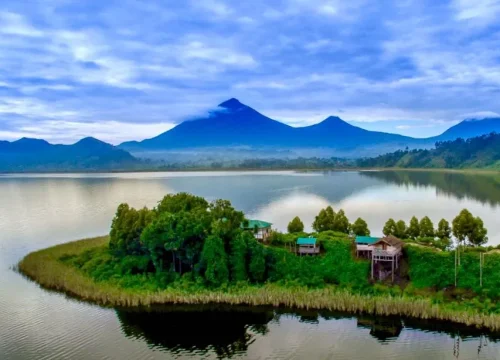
(386, 256)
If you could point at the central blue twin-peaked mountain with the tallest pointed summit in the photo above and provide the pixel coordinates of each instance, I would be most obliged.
(235, 125)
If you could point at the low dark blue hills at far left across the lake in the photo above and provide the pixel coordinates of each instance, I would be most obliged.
(86, 155)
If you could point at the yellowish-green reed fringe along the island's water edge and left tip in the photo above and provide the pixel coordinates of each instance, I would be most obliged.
(46, 269)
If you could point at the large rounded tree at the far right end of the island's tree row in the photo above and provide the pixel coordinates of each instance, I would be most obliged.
(467, 228)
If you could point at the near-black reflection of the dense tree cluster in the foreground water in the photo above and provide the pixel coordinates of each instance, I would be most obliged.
(199, 330)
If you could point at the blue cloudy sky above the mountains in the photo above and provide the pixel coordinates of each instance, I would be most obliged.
(131, 69)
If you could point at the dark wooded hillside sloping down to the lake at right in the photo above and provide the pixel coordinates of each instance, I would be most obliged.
(477, 152)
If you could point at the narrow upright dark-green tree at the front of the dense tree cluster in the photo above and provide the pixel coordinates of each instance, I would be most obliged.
(214, 259)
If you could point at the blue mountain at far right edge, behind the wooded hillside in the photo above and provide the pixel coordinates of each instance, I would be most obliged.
(471, 128)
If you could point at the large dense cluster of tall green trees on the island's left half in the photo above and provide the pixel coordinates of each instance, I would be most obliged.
(185, 233)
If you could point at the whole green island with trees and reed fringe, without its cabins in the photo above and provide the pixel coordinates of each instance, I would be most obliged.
(189, 251)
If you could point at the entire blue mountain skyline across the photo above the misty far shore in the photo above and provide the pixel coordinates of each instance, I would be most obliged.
(234, 127)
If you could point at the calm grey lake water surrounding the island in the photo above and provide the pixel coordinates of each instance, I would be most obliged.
(38, 211)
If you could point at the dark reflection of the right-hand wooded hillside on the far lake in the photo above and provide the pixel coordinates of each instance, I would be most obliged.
(484, 188)
